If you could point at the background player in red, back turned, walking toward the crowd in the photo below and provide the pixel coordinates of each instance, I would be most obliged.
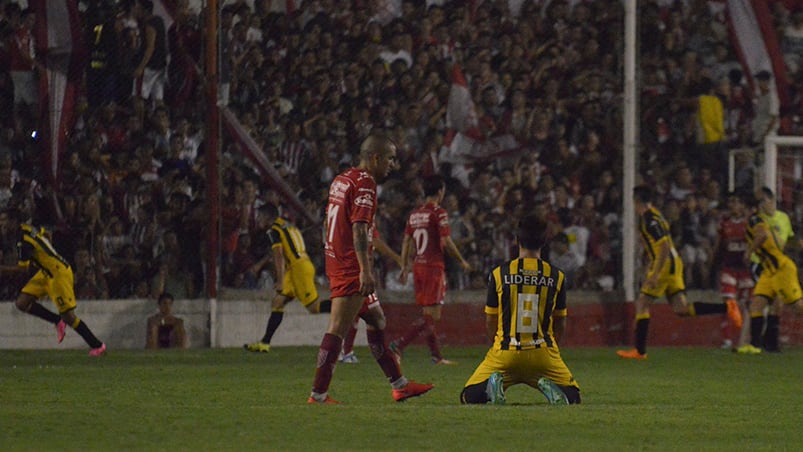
(426, 237)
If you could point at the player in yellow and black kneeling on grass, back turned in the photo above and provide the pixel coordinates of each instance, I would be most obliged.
(525, 316)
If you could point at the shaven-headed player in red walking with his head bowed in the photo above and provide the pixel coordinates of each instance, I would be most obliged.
(347, 247)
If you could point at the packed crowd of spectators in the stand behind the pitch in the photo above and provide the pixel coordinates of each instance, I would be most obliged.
(128, 207)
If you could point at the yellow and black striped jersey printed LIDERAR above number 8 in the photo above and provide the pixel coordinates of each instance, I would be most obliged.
(524, 294)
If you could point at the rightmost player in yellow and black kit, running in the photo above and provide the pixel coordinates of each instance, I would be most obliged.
(778, 278)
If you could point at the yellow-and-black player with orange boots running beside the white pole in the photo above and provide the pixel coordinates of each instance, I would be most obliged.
(664, 276)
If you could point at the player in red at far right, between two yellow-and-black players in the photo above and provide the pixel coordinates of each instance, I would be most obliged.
(735, 280)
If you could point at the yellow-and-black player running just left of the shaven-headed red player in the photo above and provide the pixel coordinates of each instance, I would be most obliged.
(294, 273)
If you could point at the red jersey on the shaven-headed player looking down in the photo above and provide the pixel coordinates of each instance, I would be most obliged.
(352, 199)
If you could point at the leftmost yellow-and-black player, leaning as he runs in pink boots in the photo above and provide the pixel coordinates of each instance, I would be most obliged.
(53, 277)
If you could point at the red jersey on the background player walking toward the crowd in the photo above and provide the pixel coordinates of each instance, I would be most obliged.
(427, 225)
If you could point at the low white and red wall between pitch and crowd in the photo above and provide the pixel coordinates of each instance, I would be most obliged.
(595, 319)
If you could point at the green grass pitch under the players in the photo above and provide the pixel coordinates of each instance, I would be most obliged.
(227, 399)
